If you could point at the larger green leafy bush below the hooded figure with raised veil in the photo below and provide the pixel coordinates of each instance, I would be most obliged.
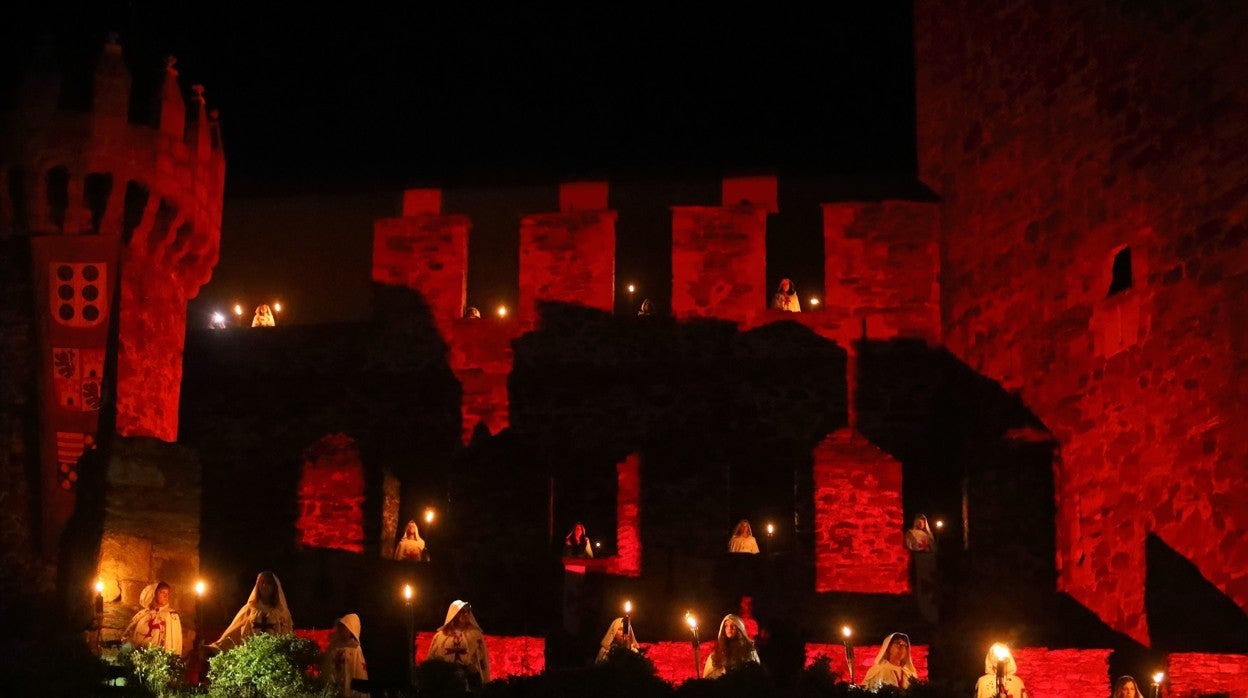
(268, 667)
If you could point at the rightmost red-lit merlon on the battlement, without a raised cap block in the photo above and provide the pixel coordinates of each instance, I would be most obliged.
(882, 264)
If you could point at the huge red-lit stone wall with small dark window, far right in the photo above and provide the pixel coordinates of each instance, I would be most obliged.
(1056, 134)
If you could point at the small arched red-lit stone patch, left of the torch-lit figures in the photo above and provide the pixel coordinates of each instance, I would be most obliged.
(333, 496)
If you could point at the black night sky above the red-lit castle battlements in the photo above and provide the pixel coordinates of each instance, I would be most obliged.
(328, 117)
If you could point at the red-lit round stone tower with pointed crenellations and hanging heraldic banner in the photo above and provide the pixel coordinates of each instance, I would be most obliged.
(119, 227)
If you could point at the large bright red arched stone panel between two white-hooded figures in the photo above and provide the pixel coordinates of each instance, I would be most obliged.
(858, 519)
